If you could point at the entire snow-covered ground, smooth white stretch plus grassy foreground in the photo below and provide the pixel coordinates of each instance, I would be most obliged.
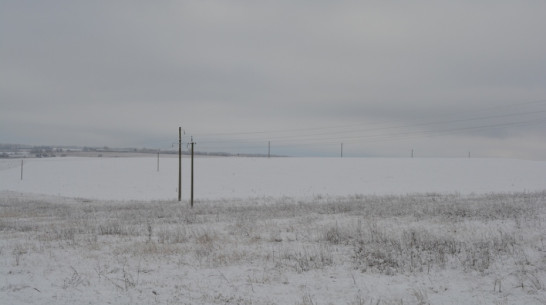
(273, 231)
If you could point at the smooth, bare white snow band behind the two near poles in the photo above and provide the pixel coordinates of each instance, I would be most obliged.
(221, 178)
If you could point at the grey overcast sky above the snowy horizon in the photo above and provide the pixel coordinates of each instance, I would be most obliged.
(443, 78)
